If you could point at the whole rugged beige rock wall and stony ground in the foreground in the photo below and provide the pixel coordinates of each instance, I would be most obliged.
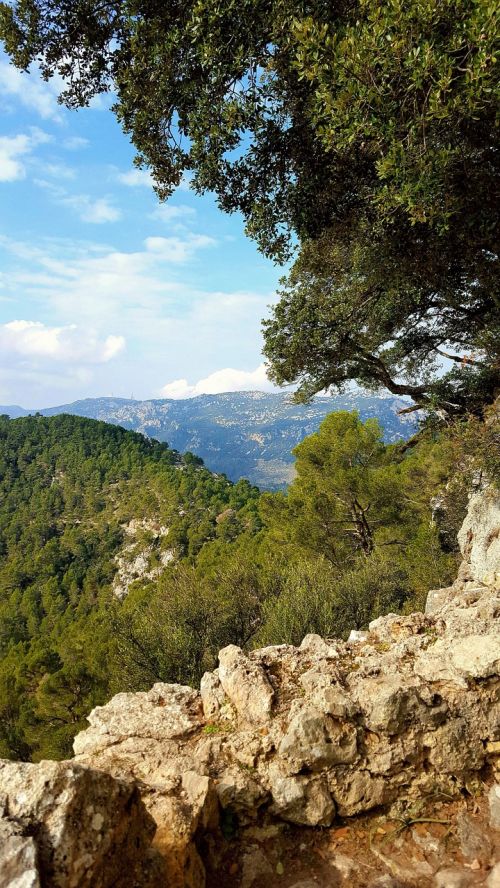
(389, 742)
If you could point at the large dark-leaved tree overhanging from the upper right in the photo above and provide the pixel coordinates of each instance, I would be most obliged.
(373, 122)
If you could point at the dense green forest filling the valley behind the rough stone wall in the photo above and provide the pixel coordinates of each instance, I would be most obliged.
(353, 537)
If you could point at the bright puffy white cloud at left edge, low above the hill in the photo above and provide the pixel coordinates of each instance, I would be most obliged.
(69, 344)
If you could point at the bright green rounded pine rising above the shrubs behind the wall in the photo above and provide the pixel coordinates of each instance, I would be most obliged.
(345, 500)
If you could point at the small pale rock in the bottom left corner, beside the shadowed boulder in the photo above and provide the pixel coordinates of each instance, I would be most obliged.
(18, 861)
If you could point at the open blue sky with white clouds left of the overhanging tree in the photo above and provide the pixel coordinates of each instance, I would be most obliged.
(103, 290)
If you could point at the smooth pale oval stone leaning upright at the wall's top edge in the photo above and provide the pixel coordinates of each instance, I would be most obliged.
(246, 685)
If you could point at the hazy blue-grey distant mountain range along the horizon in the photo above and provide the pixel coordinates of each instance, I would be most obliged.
(242, 434)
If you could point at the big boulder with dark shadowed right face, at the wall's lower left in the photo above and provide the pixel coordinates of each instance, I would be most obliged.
(89, 829)
